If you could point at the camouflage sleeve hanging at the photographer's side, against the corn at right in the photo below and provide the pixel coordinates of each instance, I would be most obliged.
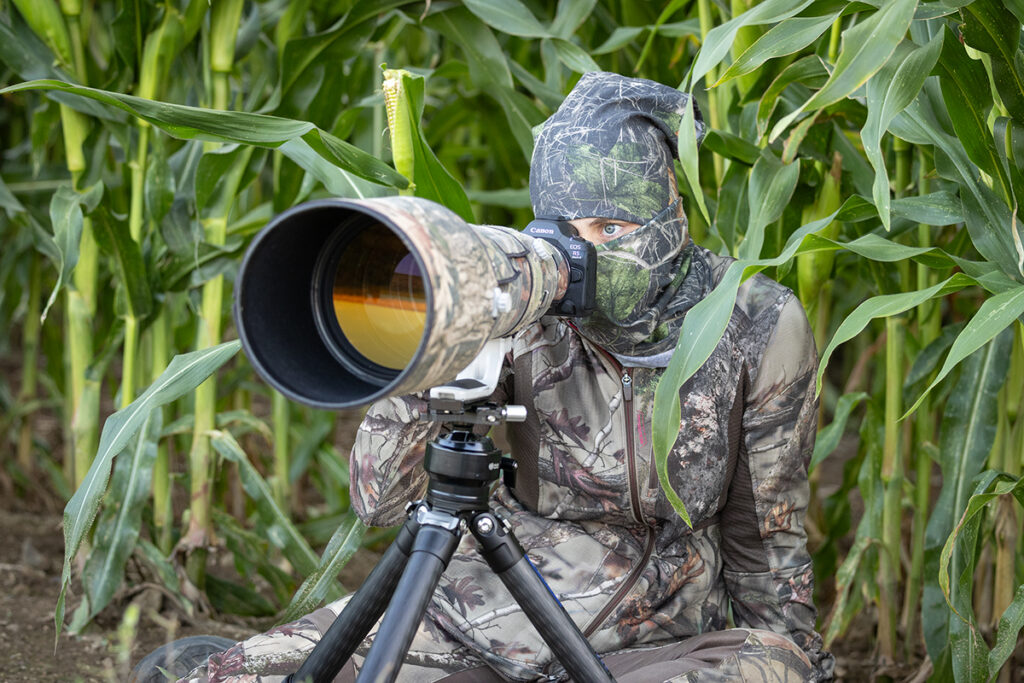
(769, 570)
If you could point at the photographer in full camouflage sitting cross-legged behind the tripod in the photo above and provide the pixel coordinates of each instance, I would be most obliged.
(588, 506)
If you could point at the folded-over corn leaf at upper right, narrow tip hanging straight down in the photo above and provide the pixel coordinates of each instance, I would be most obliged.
(889, 93)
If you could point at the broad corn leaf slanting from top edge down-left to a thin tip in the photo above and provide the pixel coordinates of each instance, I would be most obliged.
(867, 48)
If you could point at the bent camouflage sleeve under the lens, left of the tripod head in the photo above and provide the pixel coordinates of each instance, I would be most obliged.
(386, 464)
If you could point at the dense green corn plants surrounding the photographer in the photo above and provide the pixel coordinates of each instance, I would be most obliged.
(870, 155)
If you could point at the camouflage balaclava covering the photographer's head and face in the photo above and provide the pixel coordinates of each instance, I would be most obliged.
(608, 152)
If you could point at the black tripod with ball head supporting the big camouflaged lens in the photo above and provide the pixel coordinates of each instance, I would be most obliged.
(461, 468)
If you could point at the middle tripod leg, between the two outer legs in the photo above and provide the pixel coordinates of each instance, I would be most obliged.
(436, 544)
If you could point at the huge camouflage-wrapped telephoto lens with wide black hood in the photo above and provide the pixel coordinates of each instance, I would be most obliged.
(342, 303)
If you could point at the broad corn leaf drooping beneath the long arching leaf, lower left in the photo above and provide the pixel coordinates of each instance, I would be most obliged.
(118, 529)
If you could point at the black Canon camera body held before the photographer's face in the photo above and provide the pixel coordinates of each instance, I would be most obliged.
(581, 295)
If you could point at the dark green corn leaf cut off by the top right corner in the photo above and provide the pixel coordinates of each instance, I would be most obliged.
(990, 27)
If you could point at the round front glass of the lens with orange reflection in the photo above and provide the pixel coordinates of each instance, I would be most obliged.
(379, 298)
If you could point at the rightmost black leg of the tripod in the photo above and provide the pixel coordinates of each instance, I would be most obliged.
(503, 552)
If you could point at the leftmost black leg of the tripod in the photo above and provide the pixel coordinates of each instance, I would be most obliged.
(361, 614)
